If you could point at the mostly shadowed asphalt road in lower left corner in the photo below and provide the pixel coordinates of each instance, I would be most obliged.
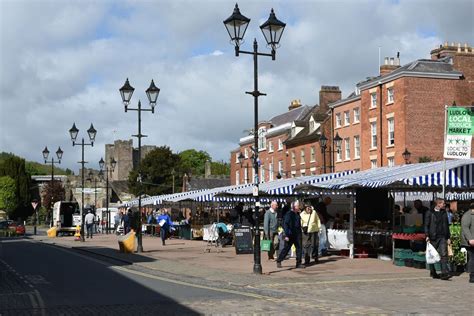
(38, 279)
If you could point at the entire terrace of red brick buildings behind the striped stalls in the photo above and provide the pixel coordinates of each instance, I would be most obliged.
(402, 108)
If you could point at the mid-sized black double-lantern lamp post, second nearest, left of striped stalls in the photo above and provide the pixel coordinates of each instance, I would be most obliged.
(152, 93)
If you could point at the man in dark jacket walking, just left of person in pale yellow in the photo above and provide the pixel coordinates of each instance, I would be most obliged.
(292, 229)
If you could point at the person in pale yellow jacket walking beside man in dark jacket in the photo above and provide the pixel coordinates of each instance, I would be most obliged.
(310, 225)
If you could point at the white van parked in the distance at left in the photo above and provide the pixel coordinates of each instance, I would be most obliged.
(66, 216)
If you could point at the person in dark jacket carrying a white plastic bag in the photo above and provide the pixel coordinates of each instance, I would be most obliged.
(438, 235)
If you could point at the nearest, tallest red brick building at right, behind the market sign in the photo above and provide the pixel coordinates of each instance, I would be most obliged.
(403, 108)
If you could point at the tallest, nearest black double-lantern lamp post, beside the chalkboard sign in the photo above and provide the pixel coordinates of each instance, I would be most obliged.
(272, 30)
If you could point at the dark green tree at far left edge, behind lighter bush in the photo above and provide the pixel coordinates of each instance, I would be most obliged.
(15, 168)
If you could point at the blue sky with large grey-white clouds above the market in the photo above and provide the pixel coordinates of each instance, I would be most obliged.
(64, 61)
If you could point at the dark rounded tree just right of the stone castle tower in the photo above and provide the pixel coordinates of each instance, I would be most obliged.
(156, 173)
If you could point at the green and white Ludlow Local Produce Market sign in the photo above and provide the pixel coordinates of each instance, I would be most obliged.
(459, 132)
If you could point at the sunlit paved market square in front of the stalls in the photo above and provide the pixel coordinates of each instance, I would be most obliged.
(336, 285)
